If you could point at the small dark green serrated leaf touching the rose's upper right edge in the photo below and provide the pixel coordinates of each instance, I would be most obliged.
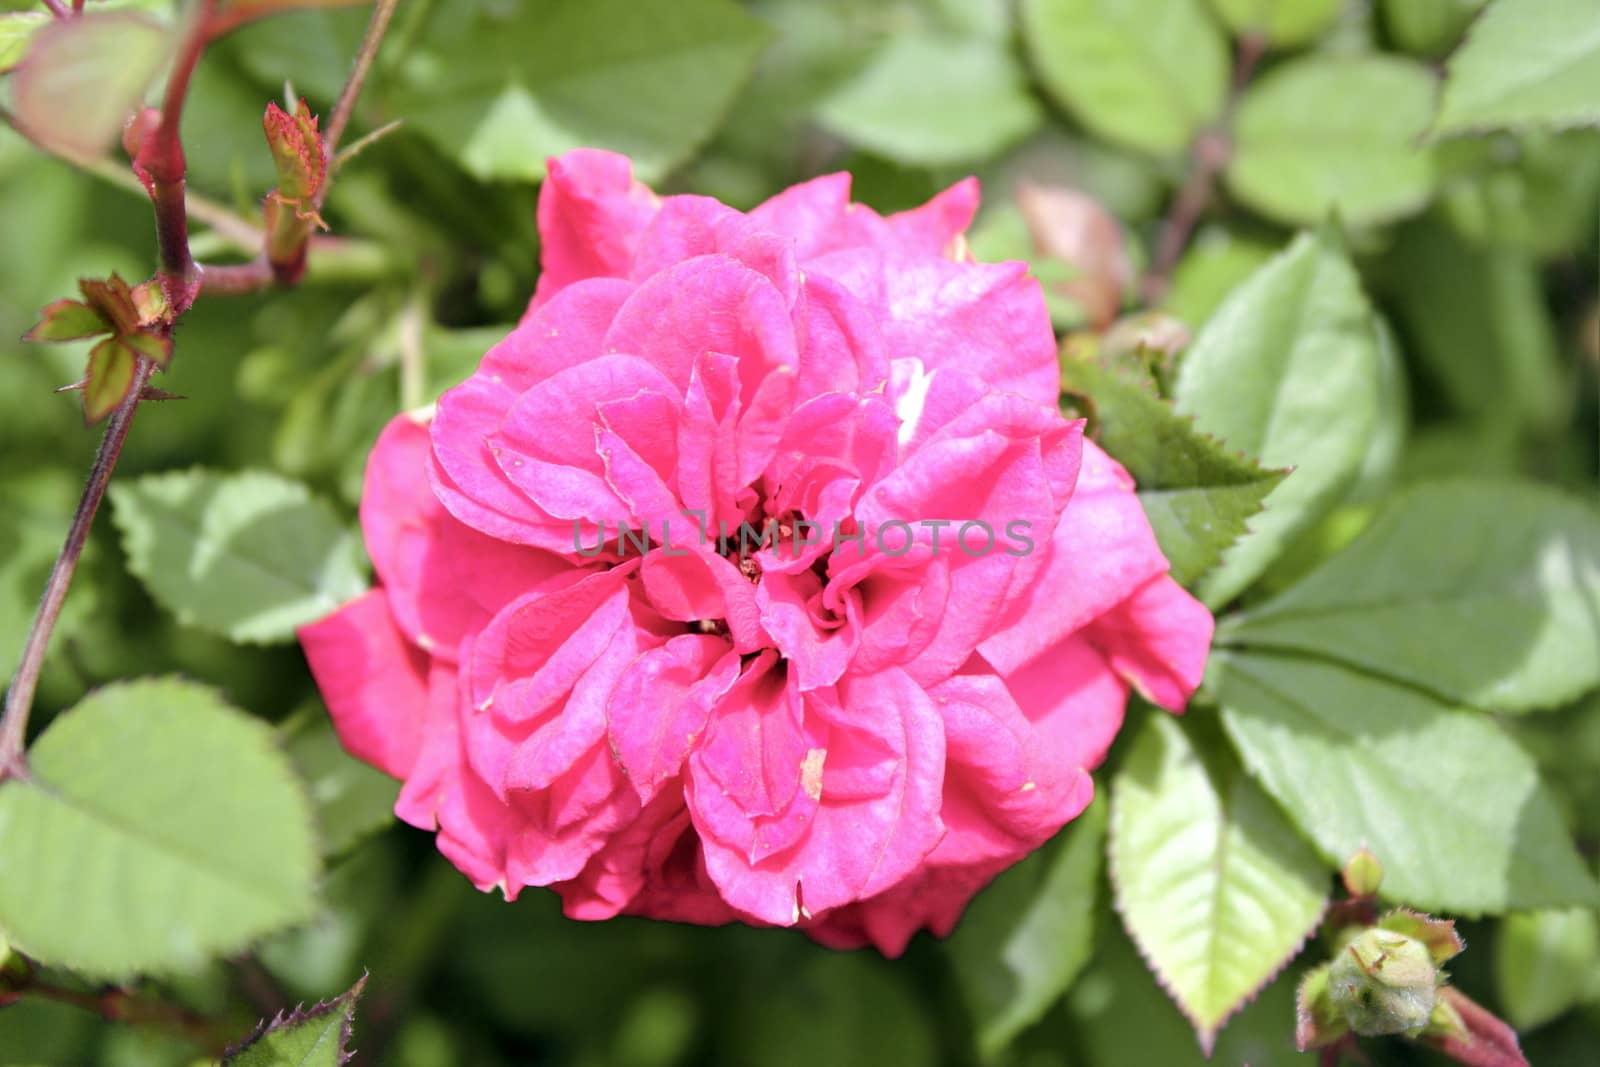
(1196, 494)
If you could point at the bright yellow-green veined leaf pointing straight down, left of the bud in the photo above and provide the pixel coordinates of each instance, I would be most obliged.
(1212, 884)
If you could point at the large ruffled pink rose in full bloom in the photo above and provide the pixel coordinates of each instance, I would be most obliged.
(852, 725)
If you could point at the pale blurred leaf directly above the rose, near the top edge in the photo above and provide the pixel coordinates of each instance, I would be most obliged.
(927, 98)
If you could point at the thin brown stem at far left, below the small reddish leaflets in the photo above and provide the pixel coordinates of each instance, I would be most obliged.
(20, 698)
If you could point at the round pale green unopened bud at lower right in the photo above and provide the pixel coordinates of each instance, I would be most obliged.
(1385, 983)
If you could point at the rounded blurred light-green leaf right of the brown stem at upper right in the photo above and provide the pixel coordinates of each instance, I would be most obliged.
(1329, 134)
